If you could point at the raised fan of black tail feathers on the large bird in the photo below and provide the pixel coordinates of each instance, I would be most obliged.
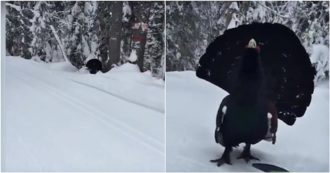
(286, 64)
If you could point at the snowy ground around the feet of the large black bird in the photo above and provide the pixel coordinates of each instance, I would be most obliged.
(191, 108)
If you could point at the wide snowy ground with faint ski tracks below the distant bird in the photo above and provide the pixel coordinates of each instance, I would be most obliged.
(58, 119)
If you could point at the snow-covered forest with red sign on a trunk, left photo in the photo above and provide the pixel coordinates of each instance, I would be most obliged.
(113, 32)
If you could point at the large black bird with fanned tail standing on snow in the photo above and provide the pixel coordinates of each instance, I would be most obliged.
(268, 75)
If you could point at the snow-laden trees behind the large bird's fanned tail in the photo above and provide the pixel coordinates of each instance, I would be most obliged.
(192, 26)
